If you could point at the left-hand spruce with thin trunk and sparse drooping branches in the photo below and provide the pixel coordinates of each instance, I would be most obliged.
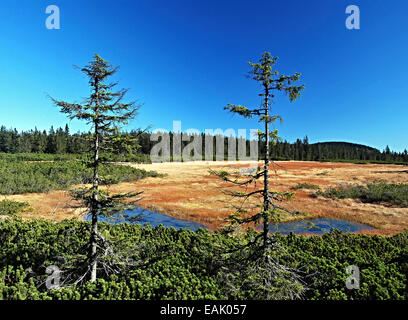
(105, 112)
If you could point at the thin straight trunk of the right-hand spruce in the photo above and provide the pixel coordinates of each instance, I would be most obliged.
(266, 168)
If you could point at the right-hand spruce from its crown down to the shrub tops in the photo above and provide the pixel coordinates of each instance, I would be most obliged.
(272, 84)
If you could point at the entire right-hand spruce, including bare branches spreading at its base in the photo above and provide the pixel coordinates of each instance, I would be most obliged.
(256, 263)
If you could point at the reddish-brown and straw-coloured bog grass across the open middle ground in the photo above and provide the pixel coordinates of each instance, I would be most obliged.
(188, 191)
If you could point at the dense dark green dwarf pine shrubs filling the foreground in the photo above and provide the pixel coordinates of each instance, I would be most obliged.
(182, 264)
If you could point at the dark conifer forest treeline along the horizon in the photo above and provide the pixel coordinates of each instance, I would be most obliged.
(61, 141)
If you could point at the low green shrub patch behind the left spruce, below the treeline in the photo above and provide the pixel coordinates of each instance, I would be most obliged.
(24, 177)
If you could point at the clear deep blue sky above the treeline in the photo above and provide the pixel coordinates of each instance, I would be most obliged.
(185, 60)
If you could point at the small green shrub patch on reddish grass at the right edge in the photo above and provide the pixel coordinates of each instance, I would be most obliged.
(376, 192)
